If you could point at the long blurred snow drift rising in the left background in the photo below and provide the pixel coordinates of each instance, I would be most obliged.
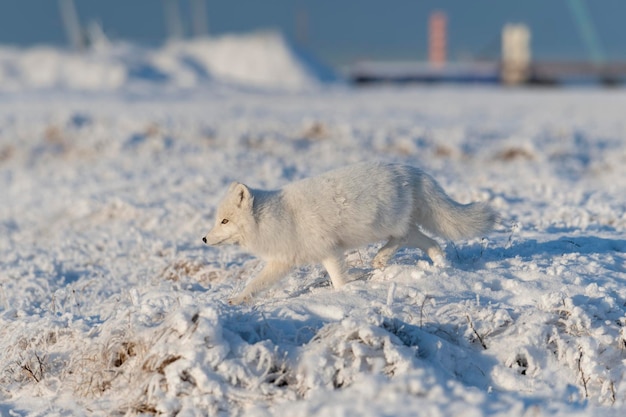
(262, 60)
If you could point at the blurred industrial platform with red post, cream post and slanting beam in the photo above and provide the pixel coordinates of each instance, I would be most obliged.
(515, 66)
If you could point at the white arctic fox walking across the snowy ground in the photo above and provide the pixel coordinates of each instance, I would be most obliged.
(317, 219)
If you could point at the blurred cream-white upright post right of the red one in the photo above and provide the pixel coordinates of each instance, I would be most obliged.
(515, 54)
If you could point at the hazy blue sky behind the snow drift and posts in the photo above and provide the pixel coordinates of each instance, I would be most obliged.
(340, 32)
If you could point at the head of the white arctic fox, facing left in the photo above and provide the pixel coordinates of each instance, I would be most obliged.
(234, 214)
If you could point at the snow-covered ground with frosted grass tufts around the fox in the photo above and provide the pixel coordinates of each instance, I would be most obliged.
(110, 304)
